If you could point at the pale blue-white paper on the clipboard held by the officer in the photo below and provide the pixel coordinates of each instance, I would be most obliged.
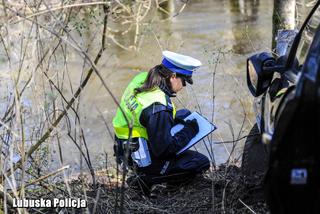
(205, 128)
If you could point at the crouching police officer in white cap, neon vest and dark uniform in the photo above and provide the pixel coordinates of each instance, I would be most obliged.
(148, 108)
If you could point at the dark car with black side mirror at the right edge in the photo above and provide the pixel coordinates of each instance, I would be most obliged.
(284, 144)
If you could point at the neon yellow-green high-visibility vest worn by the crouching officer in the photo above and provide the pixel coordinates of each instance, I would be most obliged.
(133, 106)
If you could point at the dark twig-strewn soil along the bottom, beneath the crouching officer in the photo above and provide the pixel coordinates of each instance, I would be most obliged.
(224, 190)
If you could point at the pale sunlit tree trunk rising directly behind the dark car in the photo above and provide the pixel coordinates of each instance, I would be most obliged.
(283, 17)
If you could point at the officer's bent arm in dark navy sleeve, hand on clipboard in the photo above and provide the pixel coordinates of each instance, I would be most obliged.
(158, 121)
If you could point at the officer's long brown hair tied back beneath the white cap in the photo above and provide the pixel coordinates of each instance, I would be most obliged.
(157, 75)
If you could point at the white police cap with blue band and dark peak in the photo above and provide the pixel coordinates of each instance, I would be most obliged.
(179, 63)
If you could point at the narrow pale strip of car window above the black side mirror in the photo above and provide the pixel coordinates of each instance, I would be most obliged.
(306, 38)
